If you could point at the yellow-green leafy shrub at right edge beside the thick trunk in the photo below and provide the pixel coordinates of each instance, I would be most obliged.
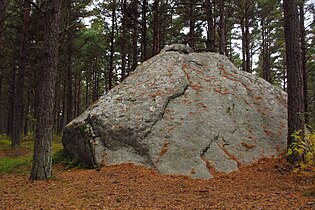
(305, 148)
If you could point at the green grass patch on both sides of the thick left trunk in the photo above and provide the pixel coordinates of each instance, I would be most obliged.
(22, 163)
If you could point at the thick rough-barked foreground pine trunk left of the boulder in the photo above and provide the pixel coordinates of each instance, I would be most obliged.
(42, 160)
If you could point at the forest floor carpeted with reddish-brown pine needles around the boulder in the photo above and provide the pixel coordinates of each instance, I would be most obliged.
(264, 185)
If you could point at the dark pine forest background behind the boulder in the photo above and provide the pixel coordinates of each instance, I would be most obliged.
(101, 42)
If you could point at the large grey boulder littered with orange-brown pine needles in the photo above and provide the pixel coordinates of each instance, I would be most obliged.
(182, 113)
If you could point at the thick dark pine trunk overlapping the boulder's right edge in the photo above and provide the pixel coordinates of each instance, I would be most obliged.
(294, 71)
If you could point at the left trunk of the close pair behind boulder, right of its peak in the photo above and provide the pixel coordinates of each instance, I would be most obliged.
(211, 29)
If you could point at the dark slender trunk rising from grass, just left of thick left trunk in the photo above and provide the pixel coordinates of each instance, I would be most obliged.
(18, 112)
